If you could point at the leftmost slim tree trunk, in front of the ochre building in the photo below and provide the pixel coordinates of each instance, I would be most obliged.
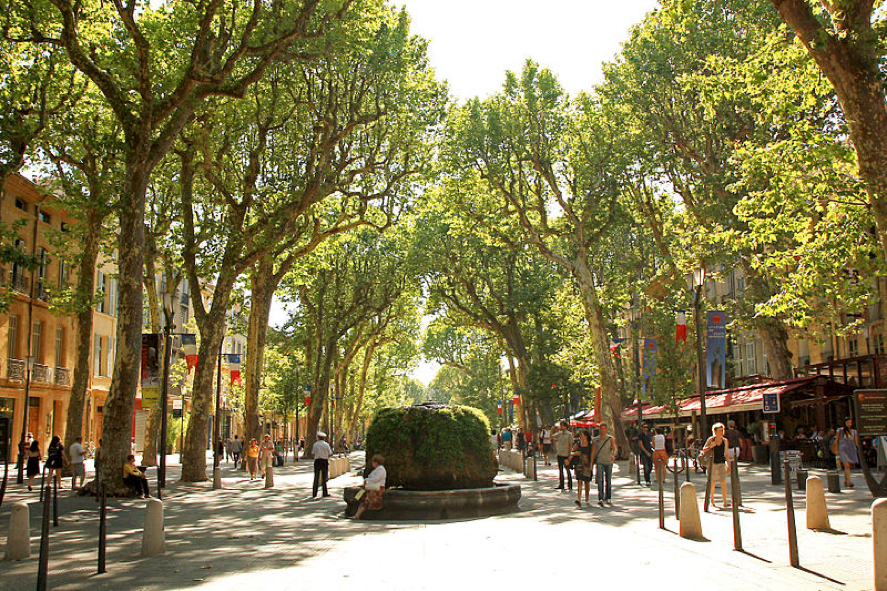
(82, 344)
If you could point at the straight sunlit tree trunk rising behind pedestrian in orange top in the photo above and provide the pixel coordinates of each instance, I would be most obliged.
(263, 283)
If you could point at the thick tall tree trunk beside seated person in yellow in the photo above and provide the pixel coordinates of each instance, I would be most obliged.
(119, 406)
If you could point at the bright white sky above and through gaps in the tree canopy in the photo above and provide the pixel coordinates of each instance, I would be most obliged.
(472, 43)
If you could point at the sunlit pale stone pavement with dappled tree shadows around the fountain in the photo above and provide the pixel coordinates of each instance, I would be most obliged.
(246, 536)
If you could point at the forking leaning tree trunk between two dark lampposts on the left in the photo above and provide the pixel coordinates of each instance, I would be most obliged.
(212, 331)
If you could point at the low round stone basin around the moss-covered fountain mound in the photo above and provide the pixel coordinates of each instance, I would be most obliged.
(441, 504)
